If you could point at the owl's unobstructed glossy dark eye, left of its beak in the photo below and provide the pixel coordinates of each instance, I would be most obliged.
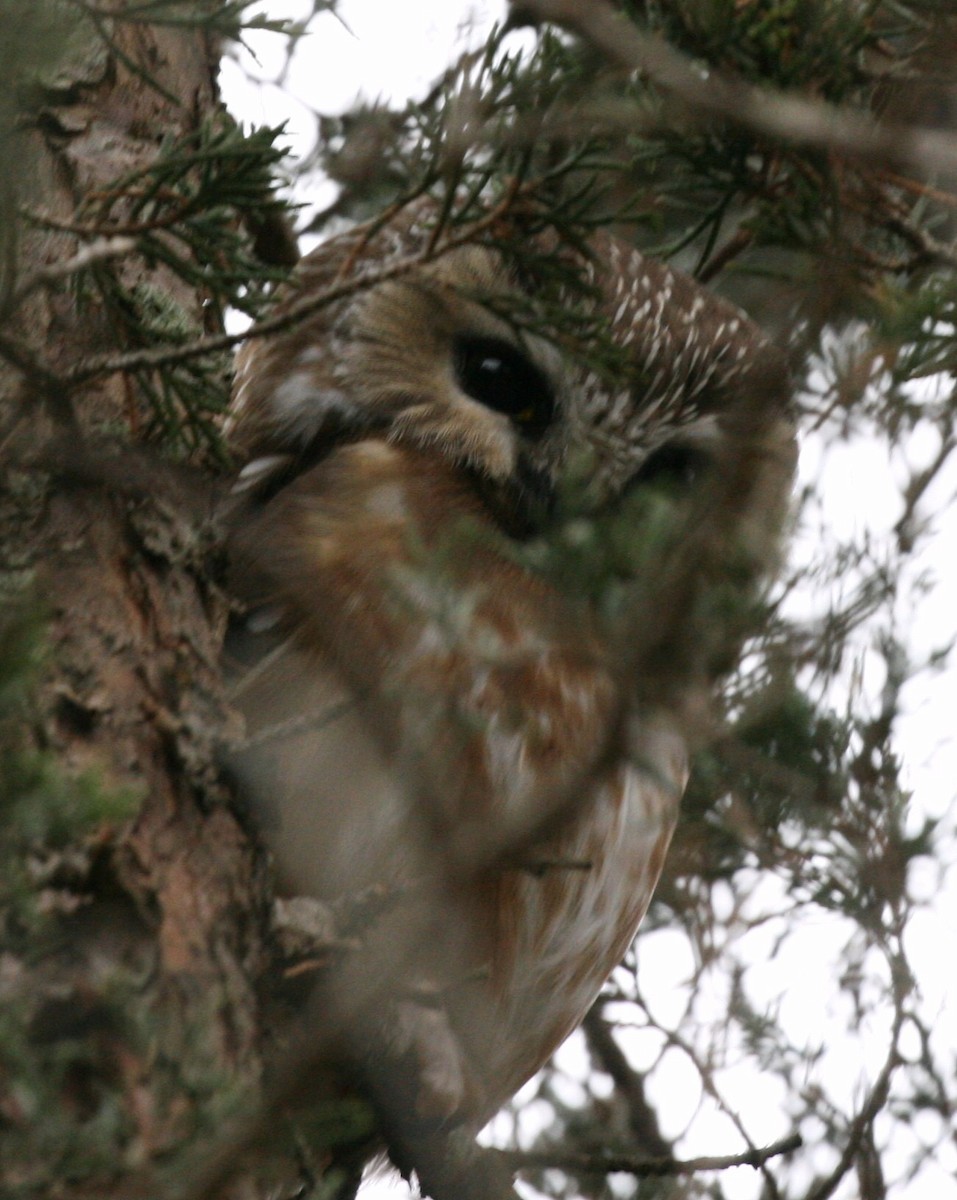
(499, 376)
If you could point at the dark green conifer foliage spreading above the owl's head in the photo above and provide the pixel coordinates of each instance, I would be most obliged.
(562, 142)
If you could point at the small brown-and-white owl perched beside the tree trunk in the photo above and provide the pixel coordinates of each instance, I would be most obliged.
(422, 681)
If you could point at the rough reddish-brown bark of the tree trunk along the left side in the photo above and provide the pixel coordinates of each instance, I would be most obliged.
(140, 1018)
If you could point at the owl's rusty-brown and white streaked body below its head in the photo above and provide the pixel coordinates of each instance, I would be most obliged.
(423, 691)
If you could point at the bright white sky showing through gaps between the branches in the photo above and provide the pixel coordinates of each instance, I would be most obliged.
(392, 50)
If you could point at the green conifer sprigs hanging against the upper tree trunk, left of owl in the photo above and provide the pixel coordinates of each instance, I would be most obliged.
(186, 214)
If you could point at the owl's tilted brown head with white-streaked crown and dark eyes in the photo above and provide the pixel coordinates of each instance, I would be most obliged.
(435, 346)
